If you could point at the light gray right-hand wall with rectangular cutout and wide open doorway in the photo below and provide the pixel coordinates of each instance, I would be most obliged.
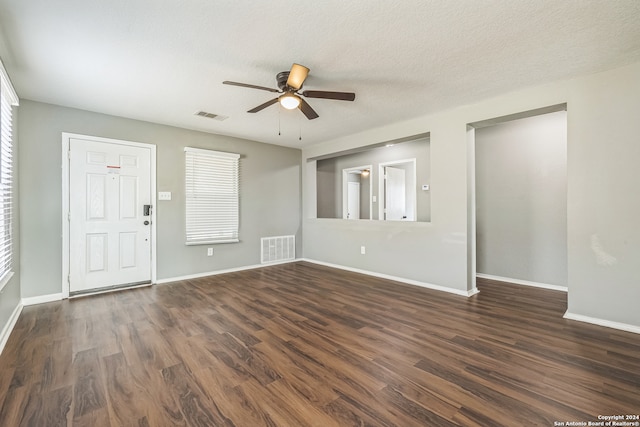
(603, 206)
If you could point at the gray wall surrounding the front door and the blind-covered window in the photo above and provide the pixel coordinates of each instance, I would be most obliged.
(269, 193)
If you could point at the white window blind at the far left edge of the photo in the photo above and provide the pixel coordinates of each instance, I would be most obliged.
(8, 98)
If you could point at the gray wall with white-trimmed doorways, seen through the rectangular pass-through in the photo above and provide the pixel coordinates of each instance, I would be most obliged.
(329, 177)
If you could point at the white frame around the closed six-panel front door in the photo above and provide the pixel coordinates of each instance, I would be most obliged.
(66, 137)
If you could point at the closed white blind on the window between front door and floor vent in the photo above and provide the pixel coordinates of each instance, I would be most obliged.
(212, 194)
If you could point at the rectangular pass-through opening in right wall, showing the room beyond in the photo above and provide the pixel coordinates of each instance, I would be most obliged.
(407, 161)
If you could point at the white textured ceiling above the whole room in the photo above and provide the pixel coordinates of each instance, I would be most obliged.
(163, 60)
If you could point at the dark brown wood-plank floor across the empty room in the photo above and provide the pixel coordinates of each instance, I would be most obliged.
(301, 344)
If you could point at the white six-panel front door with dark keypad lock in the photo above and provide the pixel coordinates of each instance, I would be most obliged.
(109, 235)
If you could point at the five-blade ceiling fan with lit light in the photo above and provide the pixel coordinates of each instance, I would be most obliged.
(290, 82)
